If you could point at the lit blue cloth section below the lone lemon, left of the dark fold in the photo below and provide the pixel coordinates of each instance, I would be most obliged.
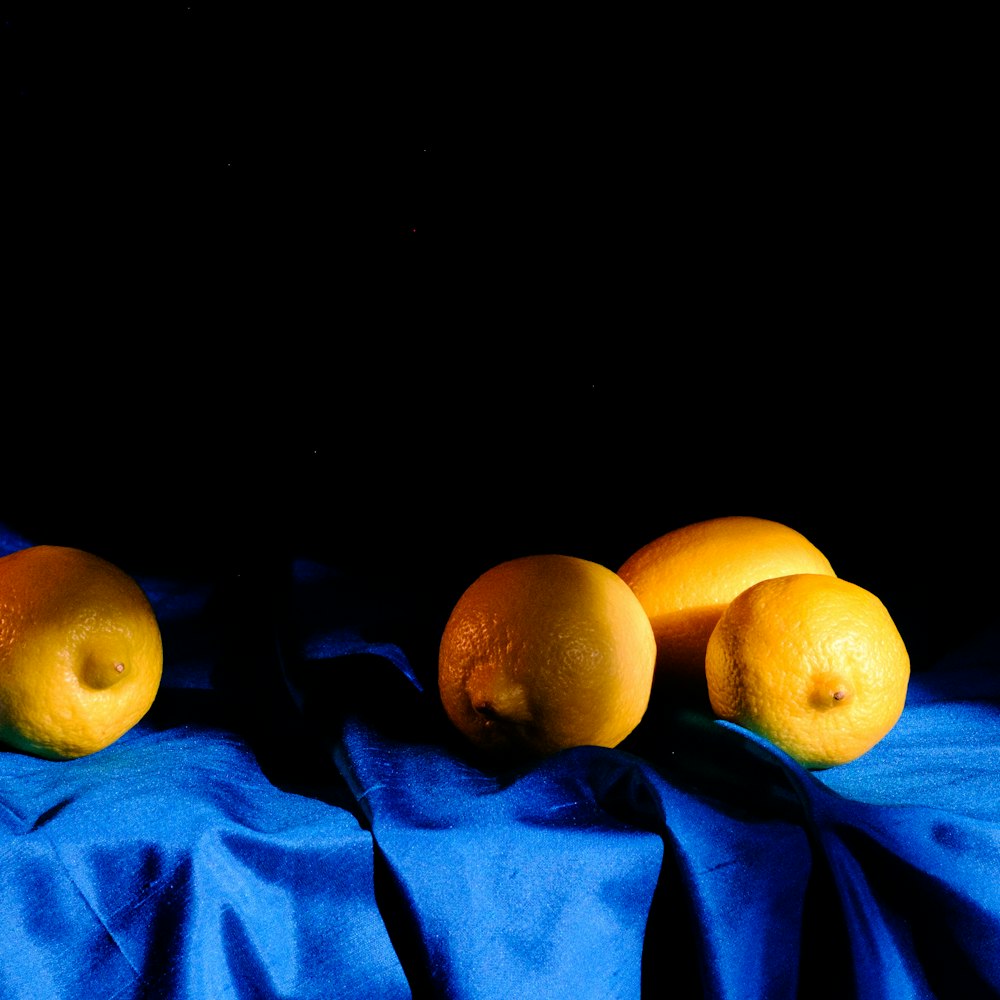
(174, 867)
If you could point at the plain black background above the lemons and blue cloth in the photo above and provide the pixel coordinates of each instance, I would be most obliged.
(416, 297)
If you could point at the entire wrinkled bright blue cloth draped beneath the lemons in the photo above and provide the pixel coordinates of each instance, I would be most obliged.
(294, 818)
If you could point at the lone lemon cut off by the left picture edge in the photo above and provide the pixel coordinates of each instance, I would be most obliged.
(80, 652)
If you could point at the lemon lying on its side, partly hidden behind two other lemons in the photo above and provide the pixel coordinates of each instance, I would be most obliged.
(686, 578)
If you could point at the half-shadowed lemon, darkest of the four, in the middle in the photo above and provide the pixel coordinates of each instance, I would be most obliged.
(546, 652)
